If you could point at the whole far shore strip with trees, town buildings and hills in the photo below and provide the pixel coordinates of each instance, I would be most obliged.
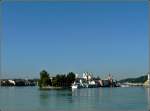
(74, 81)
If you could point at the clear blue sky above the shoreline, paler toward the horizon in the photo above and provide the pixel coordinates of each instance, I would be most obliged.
(60, 37)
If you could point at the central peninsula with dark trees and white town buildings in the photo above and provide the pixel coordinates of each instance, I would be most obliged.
(71, 80)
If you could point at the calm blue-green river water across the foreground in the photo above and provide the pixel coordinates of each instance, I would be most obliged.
(92, 99)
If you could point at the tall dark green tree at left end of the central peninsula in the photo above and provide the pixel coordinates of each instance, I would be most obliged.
(44, 79)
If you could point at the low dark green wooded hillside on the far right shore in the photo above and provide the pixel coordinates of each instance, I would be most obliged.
(140, 79)
